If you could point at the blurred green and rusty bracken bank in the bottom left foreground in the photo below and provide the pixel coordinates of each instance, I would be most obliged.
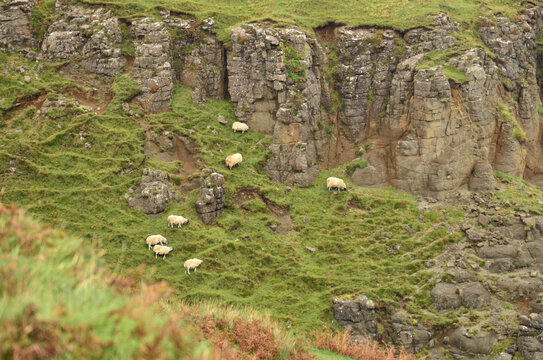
(69, 305)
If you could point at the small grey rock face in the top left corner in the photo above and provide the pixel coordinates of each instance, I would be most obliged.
(15, 25)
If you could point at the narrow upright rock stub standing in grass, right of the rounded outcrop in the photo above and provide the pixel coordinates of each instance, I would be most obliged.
(211, 202)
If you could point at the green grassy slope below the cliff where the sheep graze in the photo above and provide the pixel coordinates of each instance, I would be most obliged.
(360, 237)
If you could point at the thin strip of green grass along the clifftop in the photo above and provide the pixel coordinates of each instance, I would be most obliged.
(308, 14)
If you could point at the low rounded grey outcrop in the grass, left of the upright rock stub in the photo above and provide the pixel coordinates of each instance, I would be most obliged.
(153, 195)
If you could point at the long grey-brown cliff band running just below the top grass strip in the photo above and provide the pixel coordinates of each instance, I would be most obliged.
(434, 105)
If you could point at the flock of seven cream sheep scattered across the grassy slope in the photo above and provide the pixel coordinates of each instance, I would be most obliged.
(158, 242)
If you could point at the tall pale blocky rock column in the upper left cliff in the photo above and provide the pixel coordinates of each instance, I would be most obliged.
(152, 68)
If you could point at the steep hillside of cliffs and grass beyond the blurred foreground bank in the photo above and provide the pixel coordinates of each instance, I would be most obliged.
(430, 111)
